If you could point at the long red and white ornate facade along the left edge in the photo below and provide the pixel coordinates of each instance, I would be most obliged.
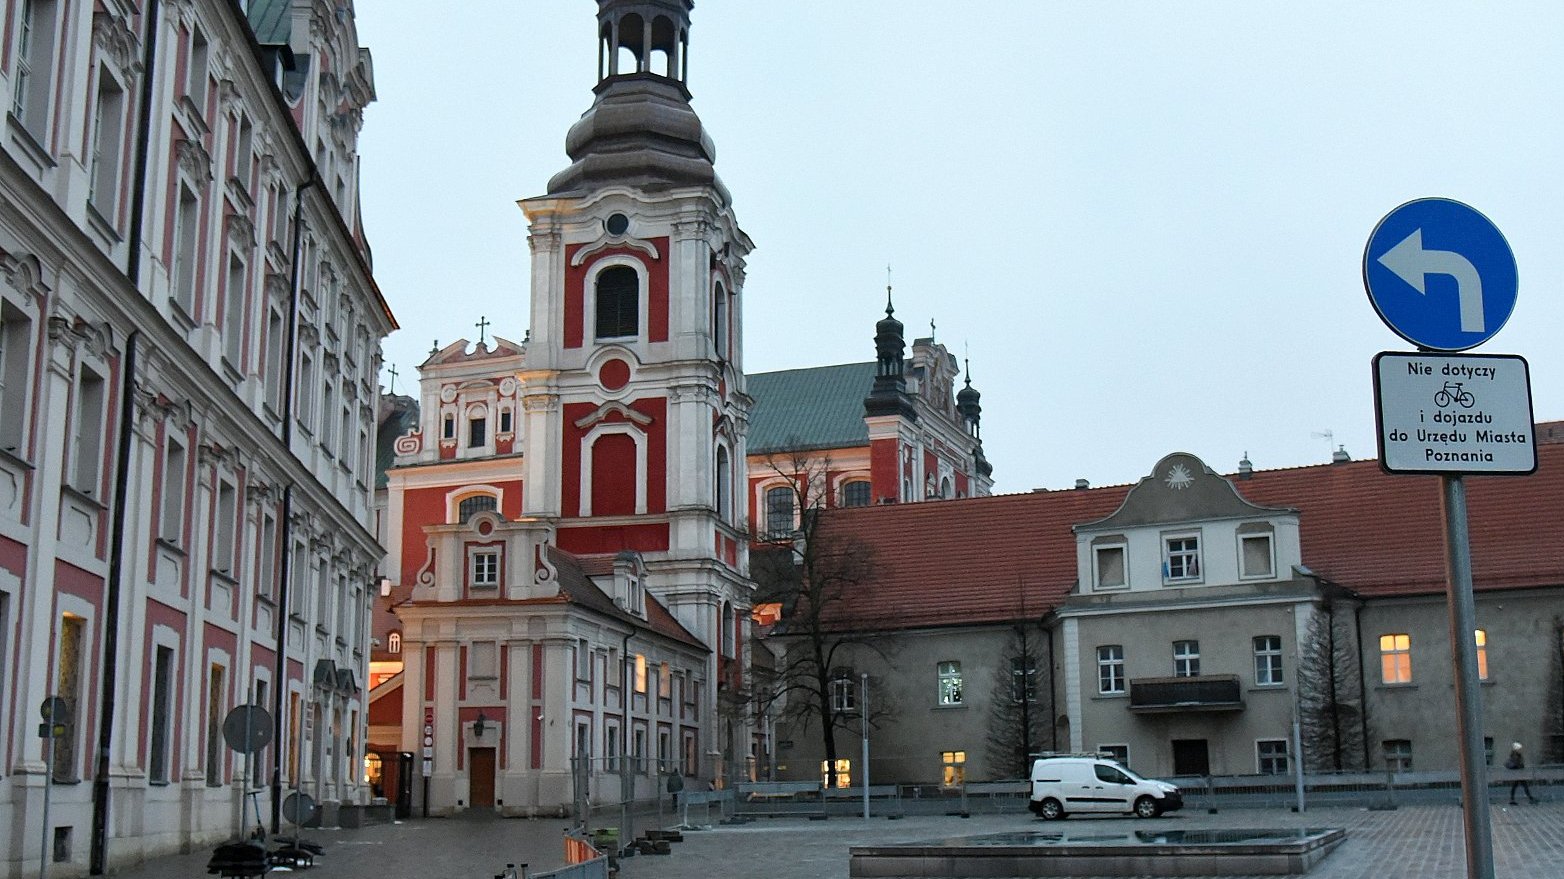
(190, 339)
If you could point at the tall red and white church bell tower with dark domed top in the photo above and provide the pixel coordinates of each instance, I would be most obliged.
(636, 407)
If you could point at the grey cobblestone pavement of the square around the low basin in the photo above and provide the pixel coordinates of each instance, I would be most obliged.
(1413, 842)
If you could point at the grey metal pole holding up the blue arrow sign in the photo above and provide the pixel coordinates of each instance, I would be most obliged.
(1469, 701)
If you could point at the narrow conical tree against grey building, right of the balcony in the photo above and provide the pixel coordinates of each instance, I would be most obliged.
(1330, 698)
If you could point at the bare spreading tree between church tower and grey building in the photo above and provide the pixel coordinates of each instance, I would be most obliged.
(812, 573)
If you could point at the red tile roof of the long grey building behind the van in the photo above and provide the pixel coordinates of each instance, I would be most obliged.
(1008, 558)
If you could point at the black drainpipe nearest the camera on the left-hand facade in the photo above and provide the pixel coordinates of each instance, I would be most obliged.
(138, 199)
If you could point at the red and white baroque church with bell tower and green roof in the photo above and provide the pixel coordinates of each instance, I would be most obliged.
(567, 609)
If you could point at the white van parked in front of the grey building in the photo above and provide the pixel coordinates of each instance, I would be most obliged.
(1094, 784)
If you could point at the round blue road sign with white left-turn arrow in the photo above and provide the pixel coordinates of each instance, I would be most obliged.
(1440, 274)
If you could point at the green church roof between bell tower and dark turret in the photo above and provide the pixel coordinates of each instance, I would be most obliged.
(809, 409)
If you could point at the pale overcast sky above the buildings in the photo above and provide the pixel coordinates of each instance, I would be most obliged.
(1146, 221)
